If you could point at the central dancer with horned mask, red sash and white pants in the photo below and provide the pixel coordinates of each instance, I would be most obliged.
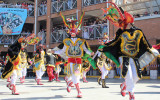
(74, 48)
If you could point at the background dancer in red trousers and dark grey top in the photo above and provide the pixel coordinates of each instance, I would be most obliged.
(50, 63)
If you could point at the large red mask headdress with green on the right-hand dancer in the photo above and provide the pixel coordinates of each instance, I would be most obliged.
(117, 16)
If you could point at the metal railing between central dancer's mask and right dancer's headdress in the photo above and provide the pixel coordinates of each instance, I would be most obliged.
(94, 31)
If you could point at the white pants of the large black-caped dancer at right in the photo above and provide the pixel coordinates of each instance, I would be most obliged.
(131, 76)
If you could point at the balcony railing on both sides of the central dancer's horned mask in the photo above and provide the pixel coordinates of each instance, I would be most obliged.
(88, 32)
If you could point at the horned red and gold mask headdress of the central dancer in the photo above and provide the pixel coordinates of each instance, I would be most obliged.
(71, 24)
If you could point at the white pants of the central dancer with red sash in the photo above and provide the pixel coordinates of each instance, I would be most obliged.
(75, 78)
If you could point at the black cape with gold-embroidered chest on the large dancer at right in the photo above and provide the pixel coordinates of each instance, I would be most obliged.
(124, 45)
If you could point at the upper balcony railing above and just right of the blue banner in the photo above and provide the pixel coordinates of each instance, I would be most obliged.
(30, 9)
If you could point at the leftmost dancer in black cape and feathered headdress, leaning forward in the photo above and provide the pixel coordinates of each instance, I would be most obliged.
(12, 69)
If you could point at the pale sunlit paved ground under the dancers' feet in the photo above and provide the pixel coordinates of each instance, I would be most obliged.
(145, 90)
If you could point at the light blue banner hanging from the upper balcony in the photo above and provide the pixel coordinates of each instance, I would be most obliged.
(12, 20)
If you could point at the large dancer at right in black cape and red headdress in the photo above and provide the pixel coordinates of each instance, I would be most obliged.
(130, 46)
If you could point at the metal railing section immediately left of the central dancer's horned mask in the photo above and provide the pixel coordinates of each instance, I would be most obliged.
(58, 36)
